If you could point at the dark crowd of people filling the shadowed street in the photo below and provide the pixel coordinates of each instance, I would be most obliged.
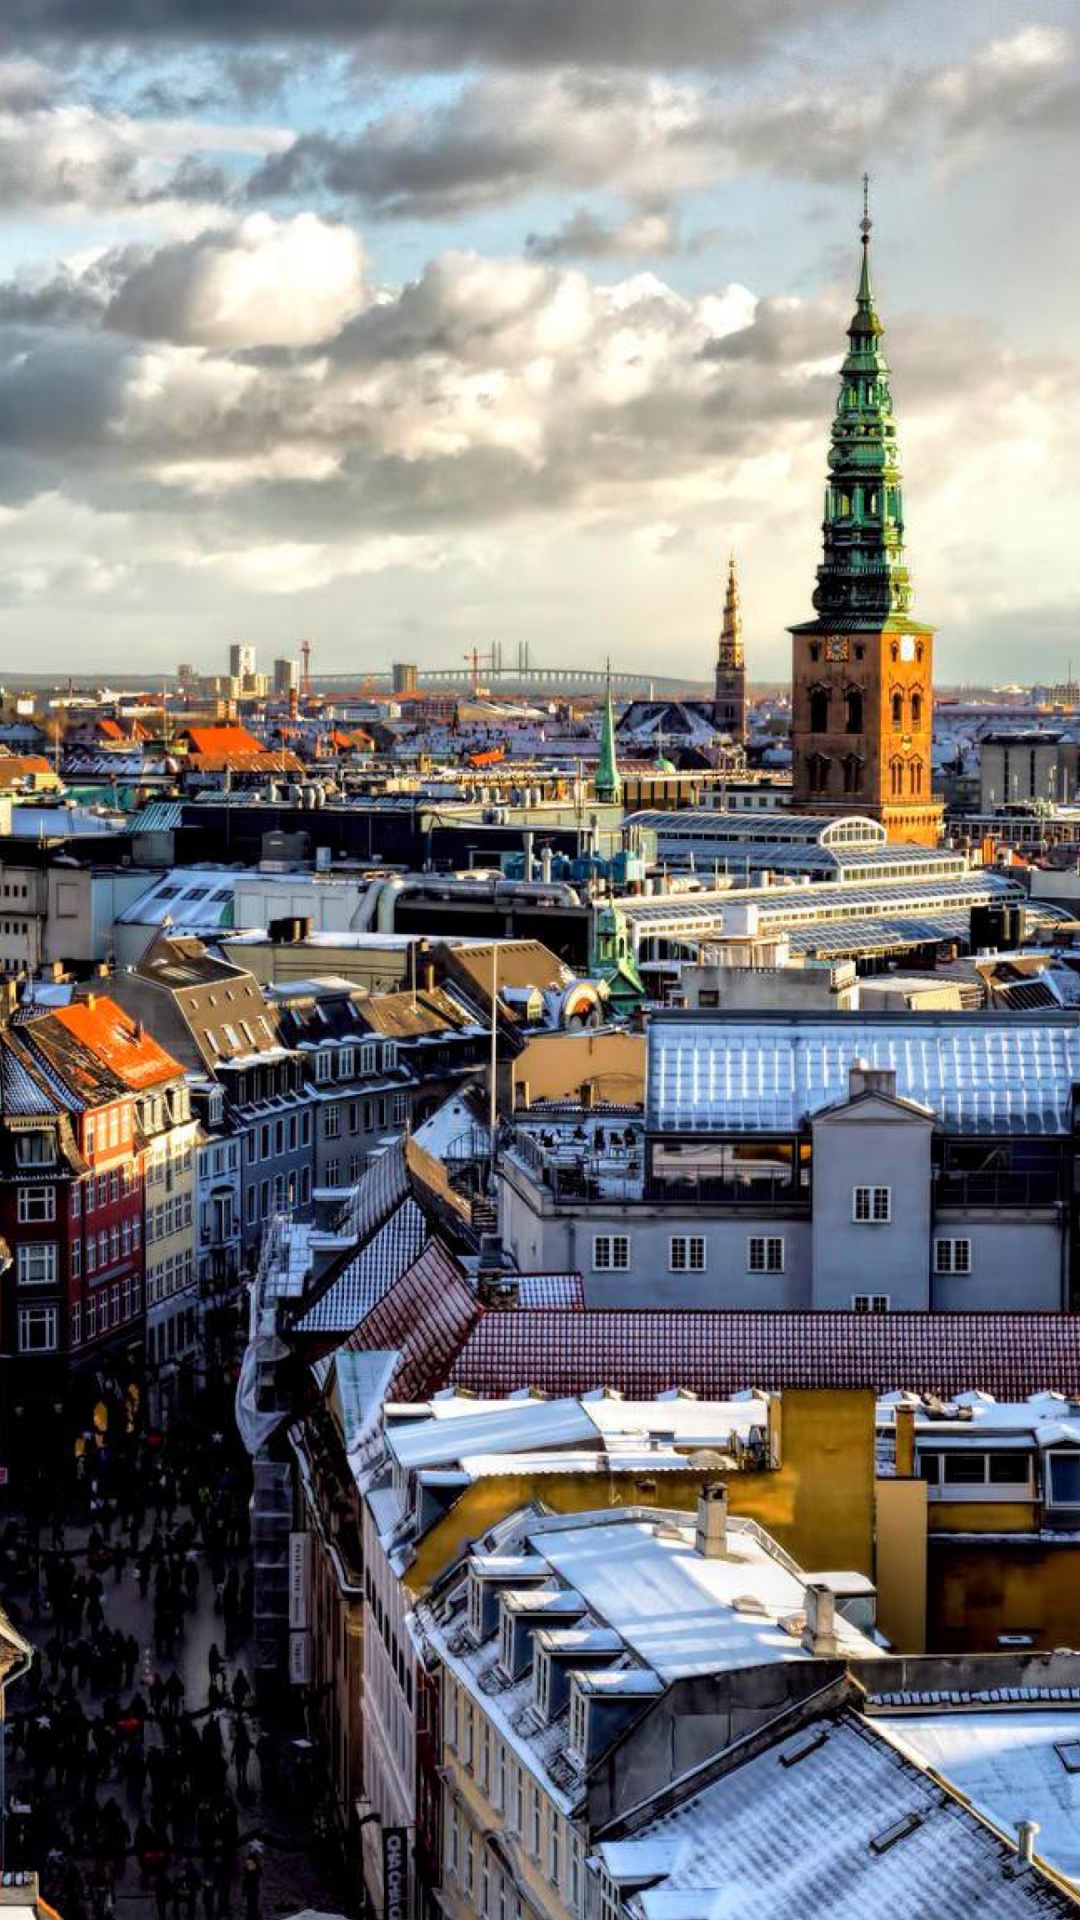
(128, 1773)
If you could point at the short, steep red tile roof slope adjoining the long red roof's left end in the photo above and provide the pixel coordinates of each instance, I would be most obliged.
(428, 1314)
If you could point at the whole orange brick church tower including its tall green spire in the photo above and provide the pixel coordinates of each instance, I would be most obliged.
(862, 673)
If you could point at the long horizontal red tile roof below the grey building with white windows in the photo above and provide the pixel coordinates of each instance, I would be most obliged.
(558, 1351)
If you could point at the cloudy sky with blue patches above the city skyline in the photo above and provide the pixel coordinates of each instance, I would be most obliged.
(418, 325)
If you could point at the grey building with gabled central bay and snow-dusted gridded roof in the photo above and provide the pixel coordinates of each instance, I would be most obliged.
(866, 1163)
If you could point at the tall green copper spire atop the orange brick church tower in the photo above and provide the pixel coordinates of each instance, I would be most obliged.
(862, 581)
